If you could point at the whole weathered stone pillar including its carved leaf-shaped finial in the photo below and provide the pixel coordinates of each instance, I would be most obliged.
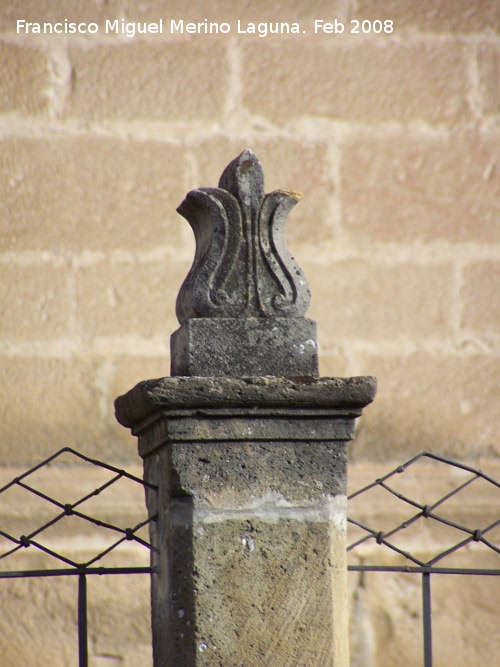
(248, 447)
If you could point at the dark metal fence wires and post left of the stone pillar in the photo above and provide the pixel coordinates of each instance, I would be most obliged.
(35, 538)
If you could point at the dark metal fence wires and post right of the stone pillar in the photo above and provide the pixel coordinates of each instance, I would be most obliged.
(412, 562)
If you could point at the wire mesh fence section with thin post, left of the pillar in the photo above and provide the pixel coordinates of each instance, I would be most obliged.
(24, 532)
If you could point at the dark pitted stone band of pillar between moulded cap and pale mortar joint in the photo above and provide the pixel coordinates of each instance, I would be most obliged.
(223, 475)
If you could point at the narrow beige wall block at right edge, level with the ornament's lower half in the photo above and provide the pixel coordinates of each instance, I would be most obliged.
(480, 298)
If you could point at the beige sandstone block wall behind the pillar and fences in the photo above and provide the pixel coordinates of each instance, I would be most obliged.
(394, 141)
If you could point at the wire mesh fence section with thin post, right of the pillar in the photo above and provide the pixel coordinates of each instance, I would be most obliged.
(401, 535)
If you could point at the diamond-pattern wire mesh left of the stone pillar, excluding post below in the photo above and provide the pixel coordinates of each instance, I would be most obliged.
(35, 537)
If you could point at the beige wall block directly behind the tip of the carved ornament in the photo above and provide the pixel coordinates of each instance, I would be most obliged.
(289, 164)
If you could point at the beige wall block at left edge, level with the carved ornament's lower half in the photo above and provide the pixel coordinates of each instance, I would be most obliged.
(35, 302)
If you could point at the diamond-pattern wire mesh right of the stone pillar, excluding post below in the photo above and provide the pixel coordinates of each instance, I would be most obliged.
(433, 512)
